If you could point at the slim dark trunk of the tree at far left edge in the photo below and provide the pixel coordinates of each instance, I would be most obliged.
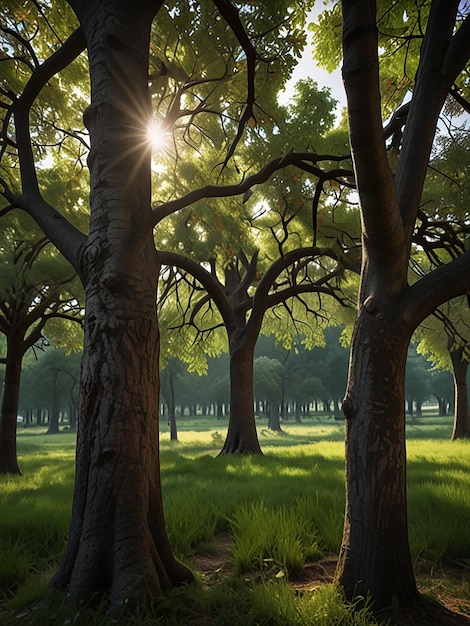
(9, 409)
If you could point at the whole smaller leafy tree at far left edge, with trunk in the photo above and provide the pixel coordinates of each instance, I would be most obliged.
(37, 289)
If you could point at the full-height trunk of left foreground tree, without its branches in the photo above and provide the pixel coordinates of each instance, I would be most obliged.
(118, 542)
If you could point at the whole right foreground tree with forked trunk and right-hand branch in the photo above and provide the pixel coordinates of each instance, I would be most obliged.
(375, 557)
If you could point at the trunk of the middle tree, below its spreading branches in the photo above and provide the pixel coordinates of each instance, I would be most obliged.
(242, 436)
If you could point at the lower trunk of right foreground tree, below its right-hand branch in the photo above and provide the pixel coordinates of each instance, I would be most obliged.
(375, 556)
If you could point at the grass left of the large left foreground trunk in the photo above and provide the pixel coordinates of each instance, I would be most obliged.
(36, 509)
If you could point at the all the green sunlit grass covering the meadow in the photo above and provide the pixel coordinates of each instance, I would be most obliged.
(278, 511)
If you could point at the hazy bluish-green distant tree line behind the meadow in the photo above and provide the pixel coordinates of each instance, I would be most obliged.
(289, 385)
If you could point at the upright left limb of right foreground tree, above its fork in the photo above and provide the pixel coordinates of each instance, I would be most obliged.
(379, 206)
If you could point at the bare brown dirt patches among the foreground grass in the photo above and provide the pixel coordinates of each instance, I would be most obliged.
(446, 585)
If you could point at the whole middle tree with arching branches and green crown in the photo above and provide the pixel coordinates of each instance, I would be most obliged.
(259, 268)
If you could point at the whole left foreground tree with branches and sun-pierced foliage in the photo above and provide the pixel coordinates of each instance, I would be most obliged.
(117, 541)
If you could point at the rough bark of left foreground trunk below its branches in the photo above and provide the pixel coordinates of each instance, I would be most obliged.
(118, 541)
